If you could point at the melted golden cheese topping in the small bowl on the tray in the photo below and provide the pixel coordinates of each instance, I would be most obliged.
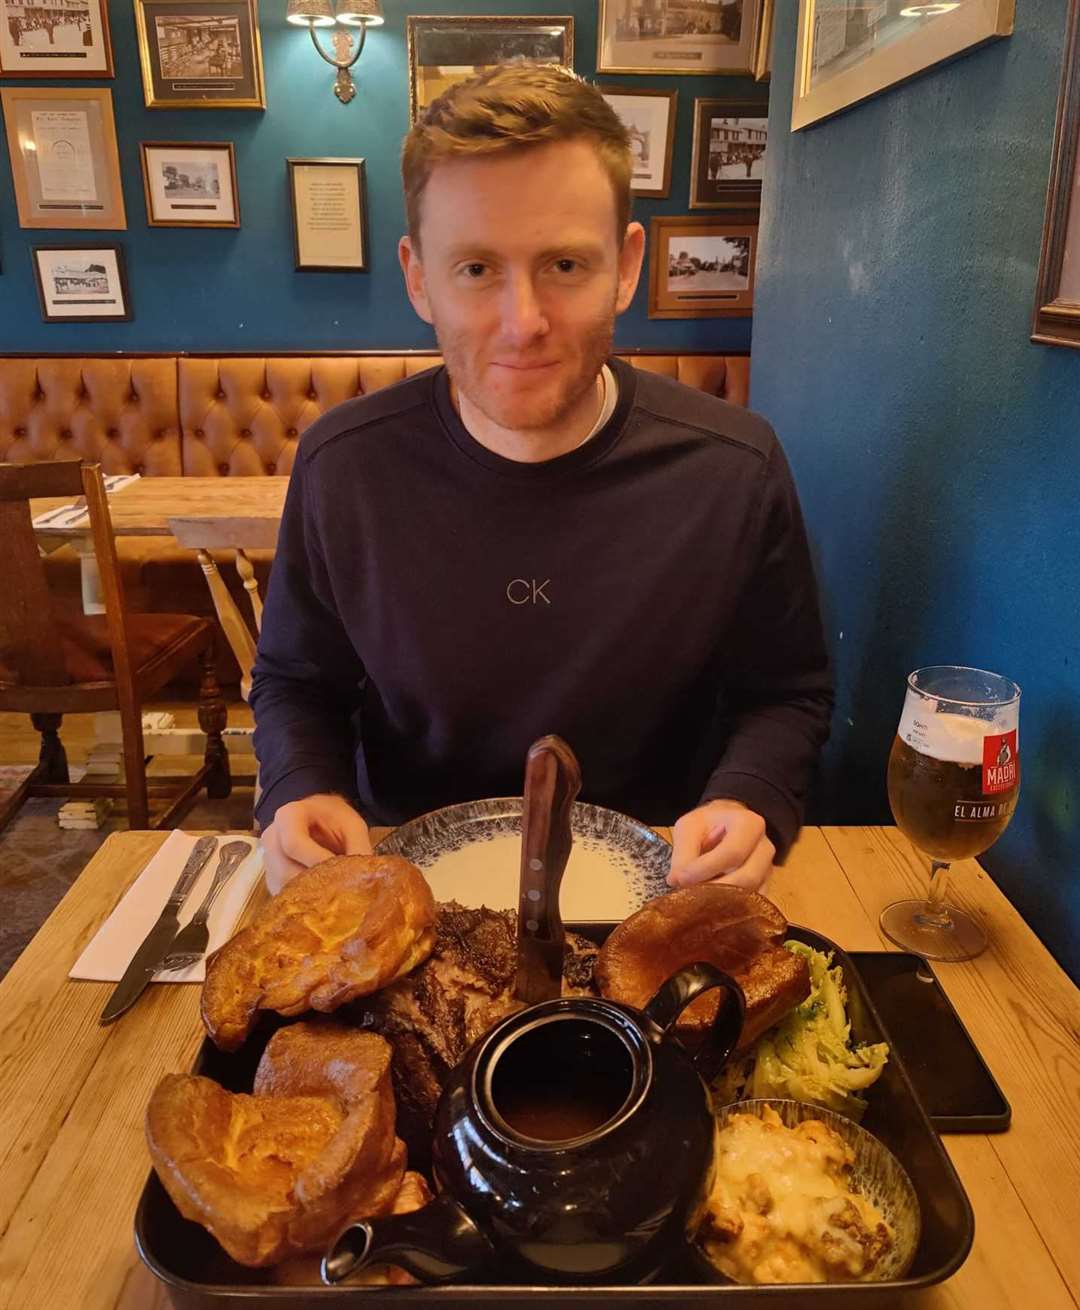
(782, 1208)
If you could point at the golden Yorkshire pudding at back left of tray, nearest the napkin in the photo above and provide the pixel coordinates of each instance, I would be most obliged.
(340, 931)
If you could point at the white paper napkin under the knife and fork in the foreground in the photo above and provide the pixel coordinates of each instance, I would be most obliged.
(116, 943)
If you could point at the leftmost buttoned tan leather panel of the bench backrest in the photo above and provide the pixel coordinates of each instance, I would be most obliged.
(121, 413)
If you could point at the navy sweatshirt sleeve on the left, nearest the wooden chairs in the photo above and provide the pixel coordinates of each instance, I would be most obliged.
(306, 684)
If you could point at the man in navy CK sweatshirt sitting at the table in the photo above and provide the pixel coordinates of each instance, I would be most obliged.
(538, 538)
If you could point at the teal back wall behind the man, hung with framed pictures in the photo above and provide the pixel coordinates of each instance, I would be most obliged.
(237, 290)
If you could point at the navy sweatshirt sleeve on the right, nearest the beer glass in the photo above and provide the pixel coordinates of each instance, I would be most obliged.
(778, 683)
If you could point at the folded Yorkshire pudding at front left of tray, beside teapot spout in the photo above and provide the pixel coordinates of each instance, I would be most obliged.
(279, 1173)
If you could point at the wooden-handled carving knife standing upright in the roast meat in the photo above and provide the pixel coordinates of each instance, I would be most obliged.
(552, 783)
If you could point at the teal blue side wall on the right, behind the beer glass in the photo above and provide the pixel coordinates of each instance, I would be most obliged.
(938, 451)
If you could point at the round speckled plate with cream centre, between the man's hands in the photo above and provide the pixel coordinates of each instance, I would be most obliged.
(471, 853)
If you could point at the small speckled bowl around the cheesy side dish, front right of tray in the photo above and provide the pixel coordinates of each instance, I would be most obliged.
(876, 1174)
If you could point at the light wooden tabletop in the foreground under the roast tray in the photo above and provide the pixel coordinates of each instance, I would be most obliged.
(73, 1095)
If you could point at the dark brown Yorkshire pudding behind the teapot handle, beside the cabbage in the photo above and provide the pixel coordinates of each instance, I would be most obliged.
(737, 931)
